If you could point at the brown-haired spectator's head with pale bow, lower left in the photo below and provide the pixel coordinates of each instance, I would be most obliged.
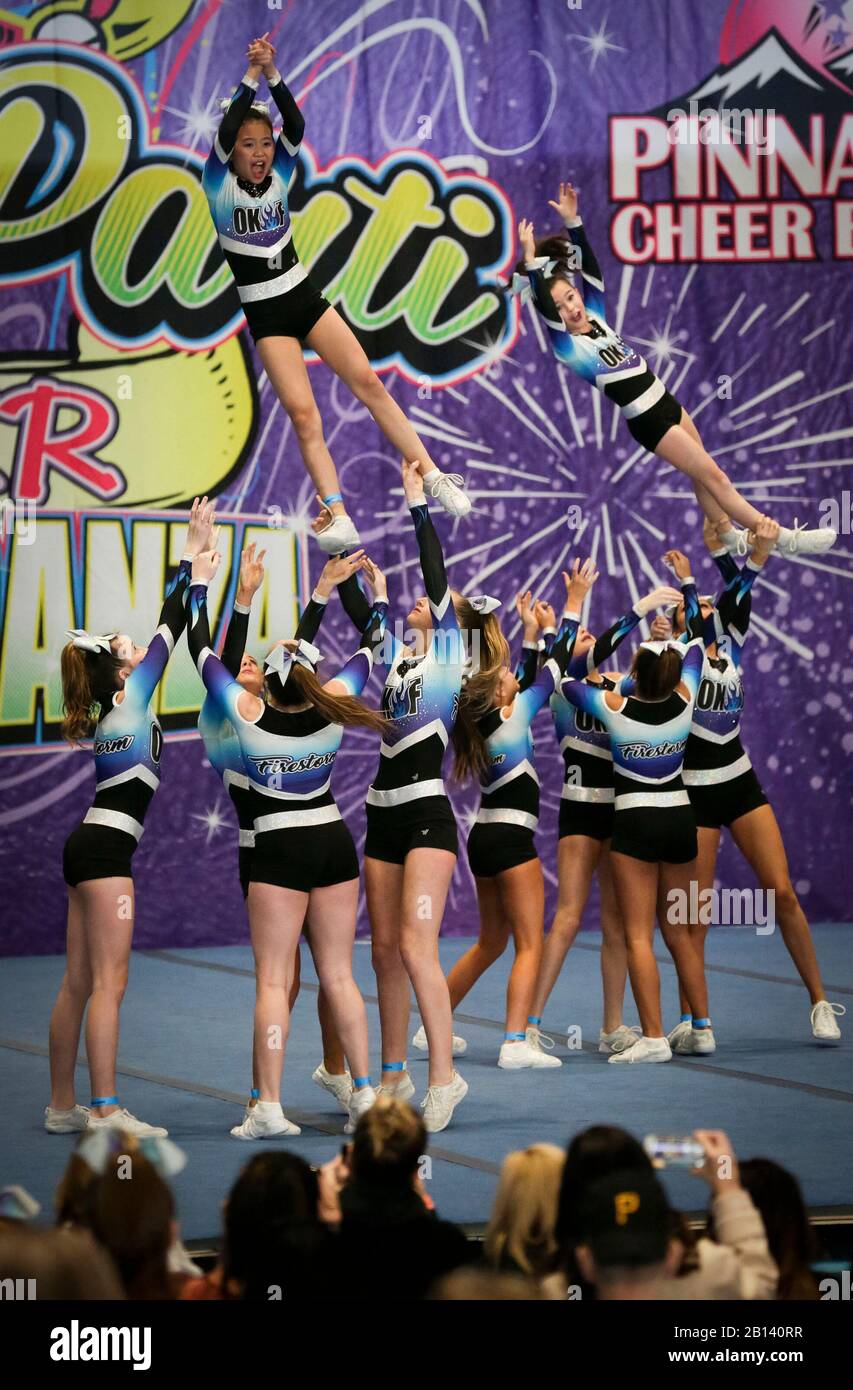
(131, 1214)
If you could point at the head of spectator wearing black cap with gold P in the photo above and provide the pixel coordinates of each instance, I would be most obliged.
(626, 1231)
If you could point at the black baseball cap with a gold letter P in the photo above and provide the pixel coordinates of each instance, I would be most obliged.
(626, 1220)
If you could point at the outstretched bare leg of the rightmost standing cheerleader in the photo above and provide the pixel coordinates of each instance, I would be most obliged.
(759, 840)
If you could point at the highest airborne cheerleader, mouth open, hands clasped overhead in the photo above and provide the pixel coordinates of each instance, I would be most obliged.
(247, 181)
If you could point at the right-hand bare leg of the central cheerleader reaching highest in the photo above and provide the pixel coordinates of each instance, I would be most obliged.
(426, 882)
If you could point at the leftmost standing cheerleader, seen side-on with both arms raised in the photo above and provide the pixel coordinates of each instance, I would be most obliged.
(108, 689)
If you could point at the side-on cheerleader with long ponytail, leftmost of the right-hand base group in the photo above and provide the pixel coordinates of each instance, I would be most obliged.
(494, 740)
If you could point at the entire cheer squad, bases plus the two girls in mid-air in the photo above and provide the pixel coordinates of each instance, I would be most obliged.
(654, 762)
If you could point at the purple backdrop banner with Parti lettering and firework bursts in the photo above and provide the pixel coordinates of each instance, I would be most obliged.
(712, 144)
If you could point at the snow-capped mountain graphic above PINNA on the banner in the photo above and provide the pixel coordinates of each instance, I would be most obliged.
(772, 77)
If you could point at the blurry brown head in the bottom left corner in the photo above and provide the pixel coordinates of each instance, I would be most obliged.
(62, 1264)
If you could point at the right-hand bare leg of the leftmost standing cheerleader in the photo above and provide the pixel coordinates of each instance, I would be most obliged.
(108, 914)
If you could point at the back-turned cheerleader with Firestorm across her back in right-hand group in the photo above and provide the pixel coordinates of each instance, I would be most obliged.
(654, 828)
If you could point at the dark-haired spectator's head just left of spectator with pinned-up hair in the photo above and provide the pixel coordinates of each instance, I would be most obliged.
(272, 1225)
